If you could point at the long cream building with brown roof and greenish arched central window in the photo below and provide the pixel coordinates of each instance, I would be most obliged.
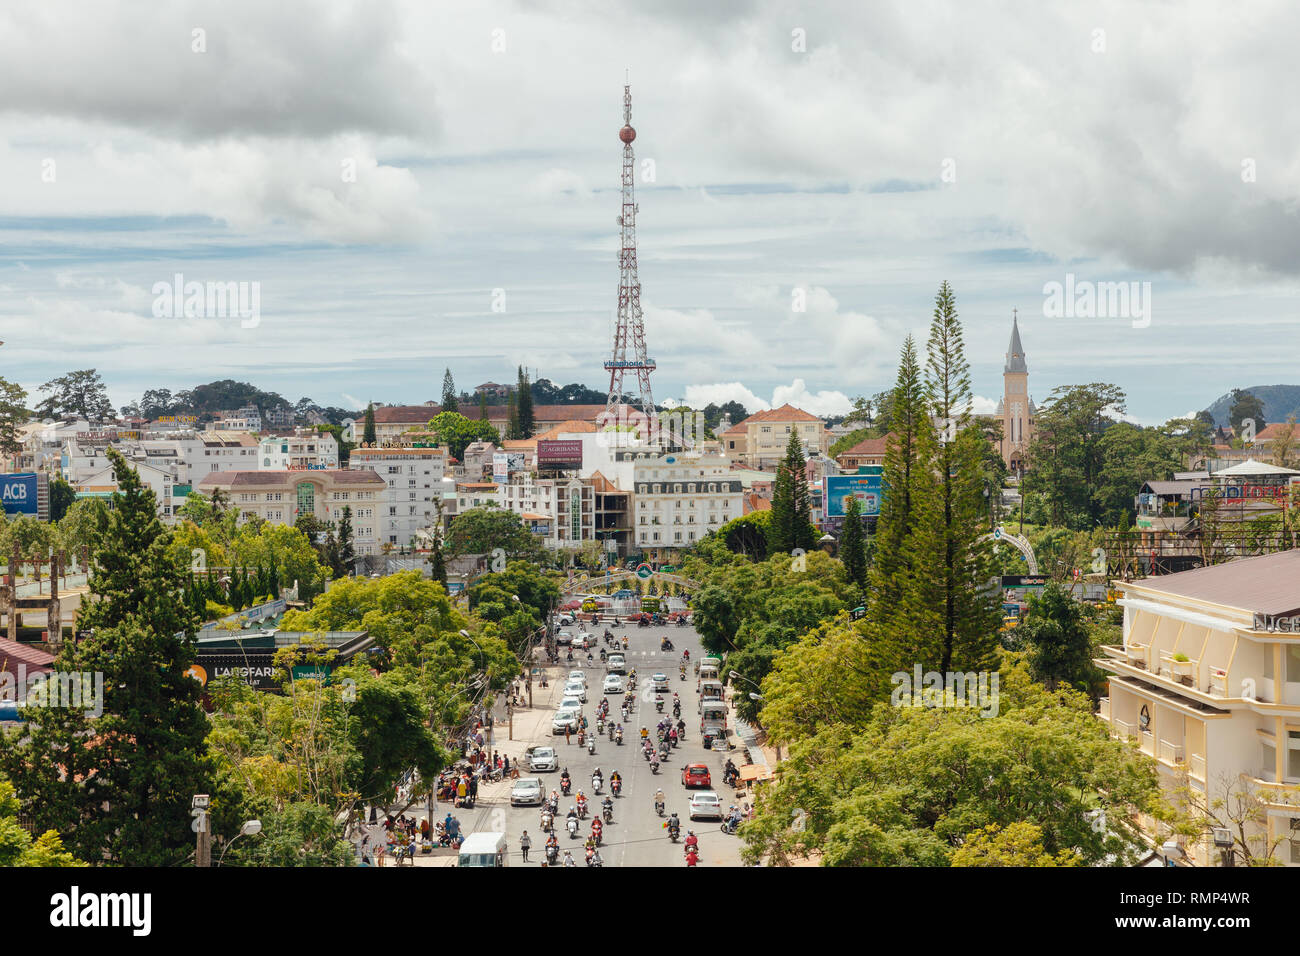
(283, 498)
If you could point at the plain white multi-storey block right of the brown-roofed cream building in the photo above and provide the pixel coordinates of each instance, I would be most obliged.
(414, 481)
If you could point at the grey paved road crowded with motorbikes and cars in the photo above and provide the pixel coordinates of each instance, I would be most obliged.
(636, 837)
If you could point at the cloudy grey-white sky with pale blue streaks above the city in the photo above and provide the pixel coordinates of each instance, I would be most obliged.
(383, 171)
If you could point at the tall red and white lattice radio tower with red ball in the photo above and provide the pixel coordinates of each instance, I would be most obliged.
(630, 338)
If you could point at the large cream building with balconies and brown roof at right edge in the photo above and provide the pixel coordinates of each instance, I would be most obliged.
(1207, 682)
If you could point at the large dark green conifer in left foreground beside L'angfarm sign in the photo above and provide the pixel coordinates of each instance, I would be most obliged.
(120, 785)
